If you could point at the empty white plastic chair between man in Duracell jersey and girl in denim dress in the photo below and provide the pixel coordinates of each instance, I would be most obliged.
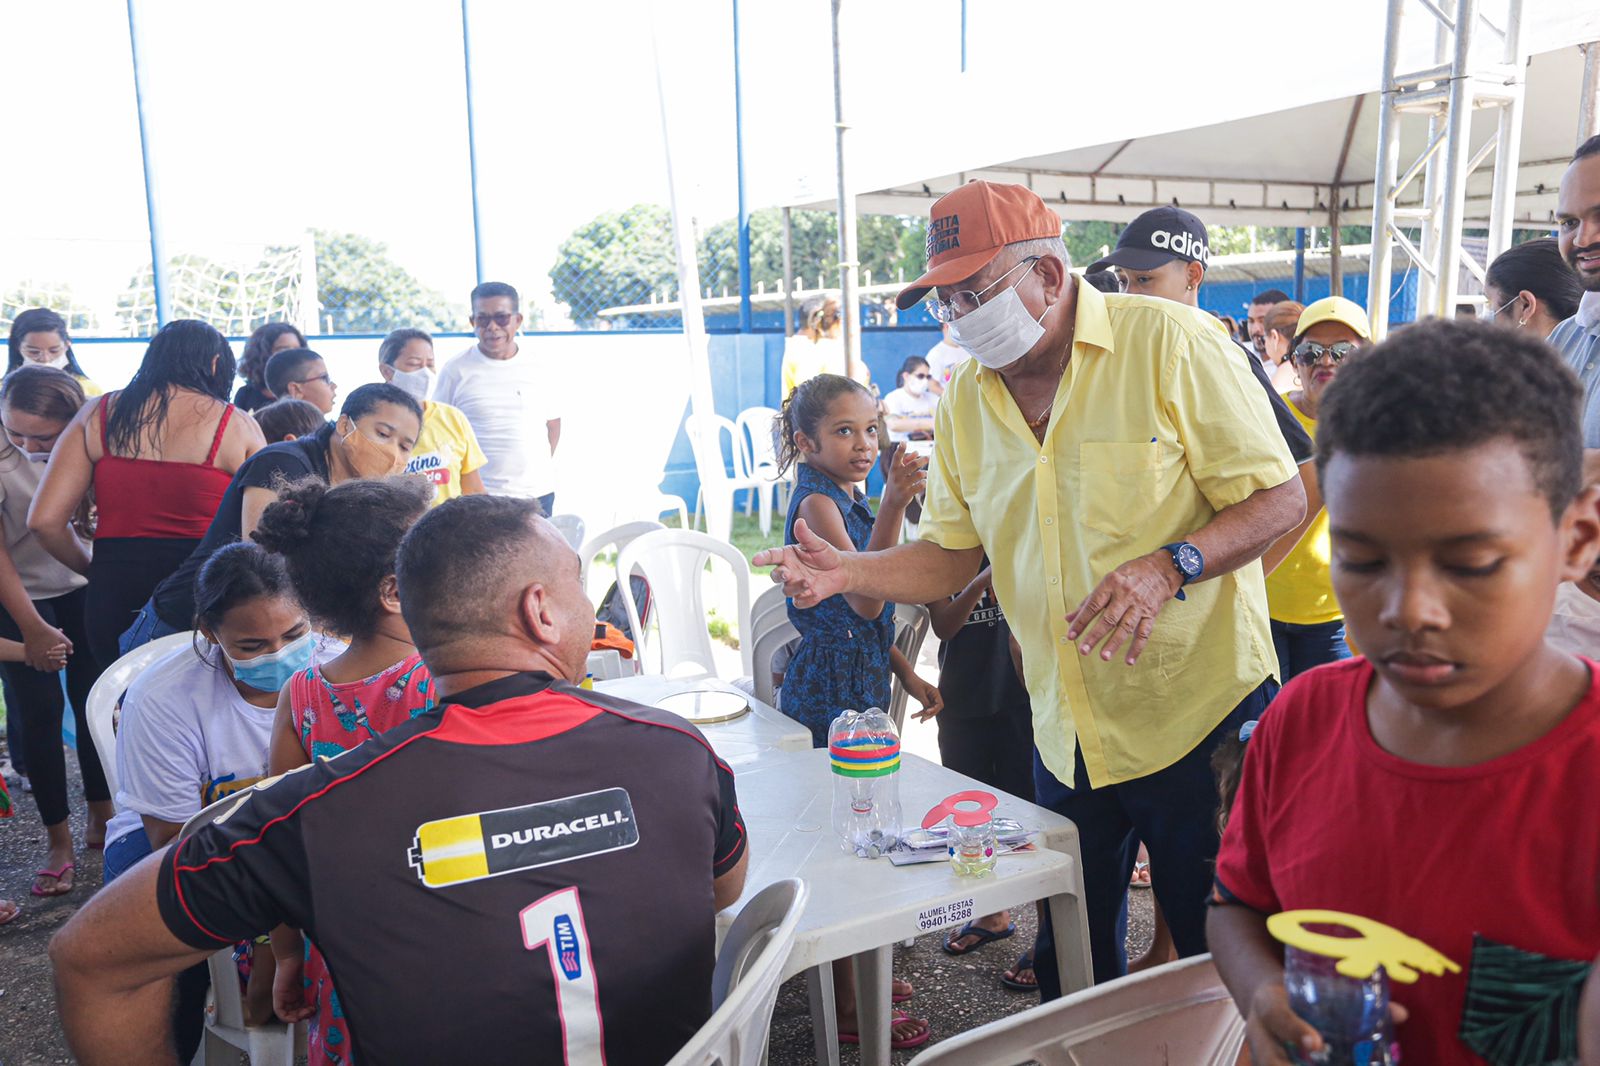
(674, 564)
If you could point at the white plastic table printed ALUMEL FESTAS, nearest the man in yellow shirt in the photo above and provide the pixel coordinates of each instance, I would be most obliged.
(862, 908)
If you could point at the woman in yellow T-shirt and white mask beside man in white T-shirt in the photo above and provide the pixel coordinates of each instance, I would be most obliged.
(447, 454)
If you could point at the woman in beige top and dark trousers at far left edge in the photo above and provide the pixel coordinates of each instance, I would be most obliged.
(42, 606)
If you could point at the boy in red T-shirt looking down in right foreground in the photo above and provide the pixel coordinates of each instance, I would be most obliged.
(1430, 785)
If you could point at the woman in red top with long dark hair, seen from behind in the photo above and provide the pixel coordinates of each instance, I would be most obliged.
(159, 455)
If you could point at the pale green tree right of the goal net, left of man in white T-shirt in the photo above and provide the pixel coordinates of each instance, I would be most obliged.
(364, 291)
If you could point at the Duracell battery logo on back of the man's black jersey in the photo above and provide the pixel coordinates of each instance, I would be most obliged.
(470, 848)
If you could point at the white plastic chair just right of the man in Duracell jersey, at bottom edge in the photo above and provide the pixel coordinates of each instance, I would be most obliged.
(746, 980)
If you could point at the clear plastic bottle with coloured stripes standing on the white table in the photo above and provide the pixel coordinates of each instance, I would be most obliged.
(865, 755)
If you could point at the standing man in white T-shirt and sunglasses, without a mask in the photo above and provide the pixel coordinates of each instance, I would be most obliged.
(511, 398)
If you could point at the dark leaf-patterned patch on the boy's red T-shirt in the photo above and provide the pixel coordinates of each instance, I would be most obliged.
(1522, 1008)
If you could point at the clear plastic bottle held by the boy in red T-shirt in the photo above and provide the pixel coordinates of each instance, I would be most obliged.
(1351, 1014)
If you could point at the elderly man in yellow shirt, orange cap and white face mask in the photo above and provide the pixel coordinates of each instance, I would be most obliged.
(1124, 473)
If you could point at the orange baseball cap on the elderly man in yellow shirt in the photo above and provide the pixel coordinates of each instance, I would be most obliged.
(970, 226)
